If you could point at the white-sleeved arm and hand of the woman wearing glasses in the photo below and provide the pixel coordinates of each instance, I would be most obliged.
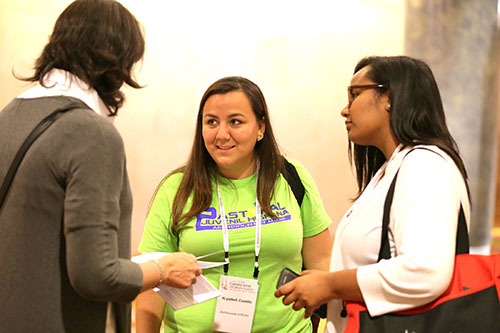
(419, 272)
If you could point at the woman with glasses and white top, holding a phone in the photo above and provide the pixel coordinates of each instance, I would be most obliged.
(394, 106)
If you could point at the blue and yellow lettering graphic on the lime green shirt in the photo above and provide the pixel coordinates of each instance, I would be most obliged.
(210, 219)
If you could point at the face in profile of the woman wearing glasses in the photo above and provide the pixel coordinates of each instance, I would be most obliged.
(367, 114)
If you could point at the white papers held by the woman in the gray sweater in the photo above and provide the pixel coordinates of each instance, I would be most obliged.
(202, 290)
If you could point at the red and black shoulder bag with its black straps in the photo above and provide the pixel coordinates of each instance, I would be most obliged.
(470, 304)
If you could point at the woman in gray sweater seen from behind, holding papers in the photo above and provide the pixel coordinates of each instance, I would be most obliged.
(65, 222)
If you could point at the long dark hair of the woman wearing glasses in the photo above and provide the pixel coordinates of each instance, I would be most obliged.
(416, 117)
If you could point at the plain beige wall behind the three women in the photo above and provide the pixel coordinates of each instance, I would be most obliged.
(301, 54)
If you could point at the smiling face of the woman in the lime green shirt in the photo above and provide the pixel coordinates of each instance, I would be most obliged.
(230, 131)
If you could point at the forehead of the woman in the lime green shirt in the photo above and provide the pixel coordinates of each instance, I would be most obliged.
(233, 101)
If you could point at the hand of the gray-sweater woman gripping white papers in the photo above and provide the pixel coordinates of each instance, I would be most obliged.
(180, 269)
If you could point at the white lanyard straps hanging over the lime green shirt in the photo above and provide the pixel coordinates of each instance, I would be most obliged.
(225, 233)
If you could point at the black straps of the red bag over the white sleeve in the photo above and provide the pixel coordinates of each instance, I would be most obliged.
(462, 241)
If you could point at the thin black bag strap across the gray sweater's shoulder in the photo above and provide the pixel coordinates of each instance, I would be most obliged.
(35, 133)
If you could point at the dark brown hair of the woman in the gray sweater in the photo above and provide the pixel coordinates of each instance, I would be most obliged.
(98, 41)
